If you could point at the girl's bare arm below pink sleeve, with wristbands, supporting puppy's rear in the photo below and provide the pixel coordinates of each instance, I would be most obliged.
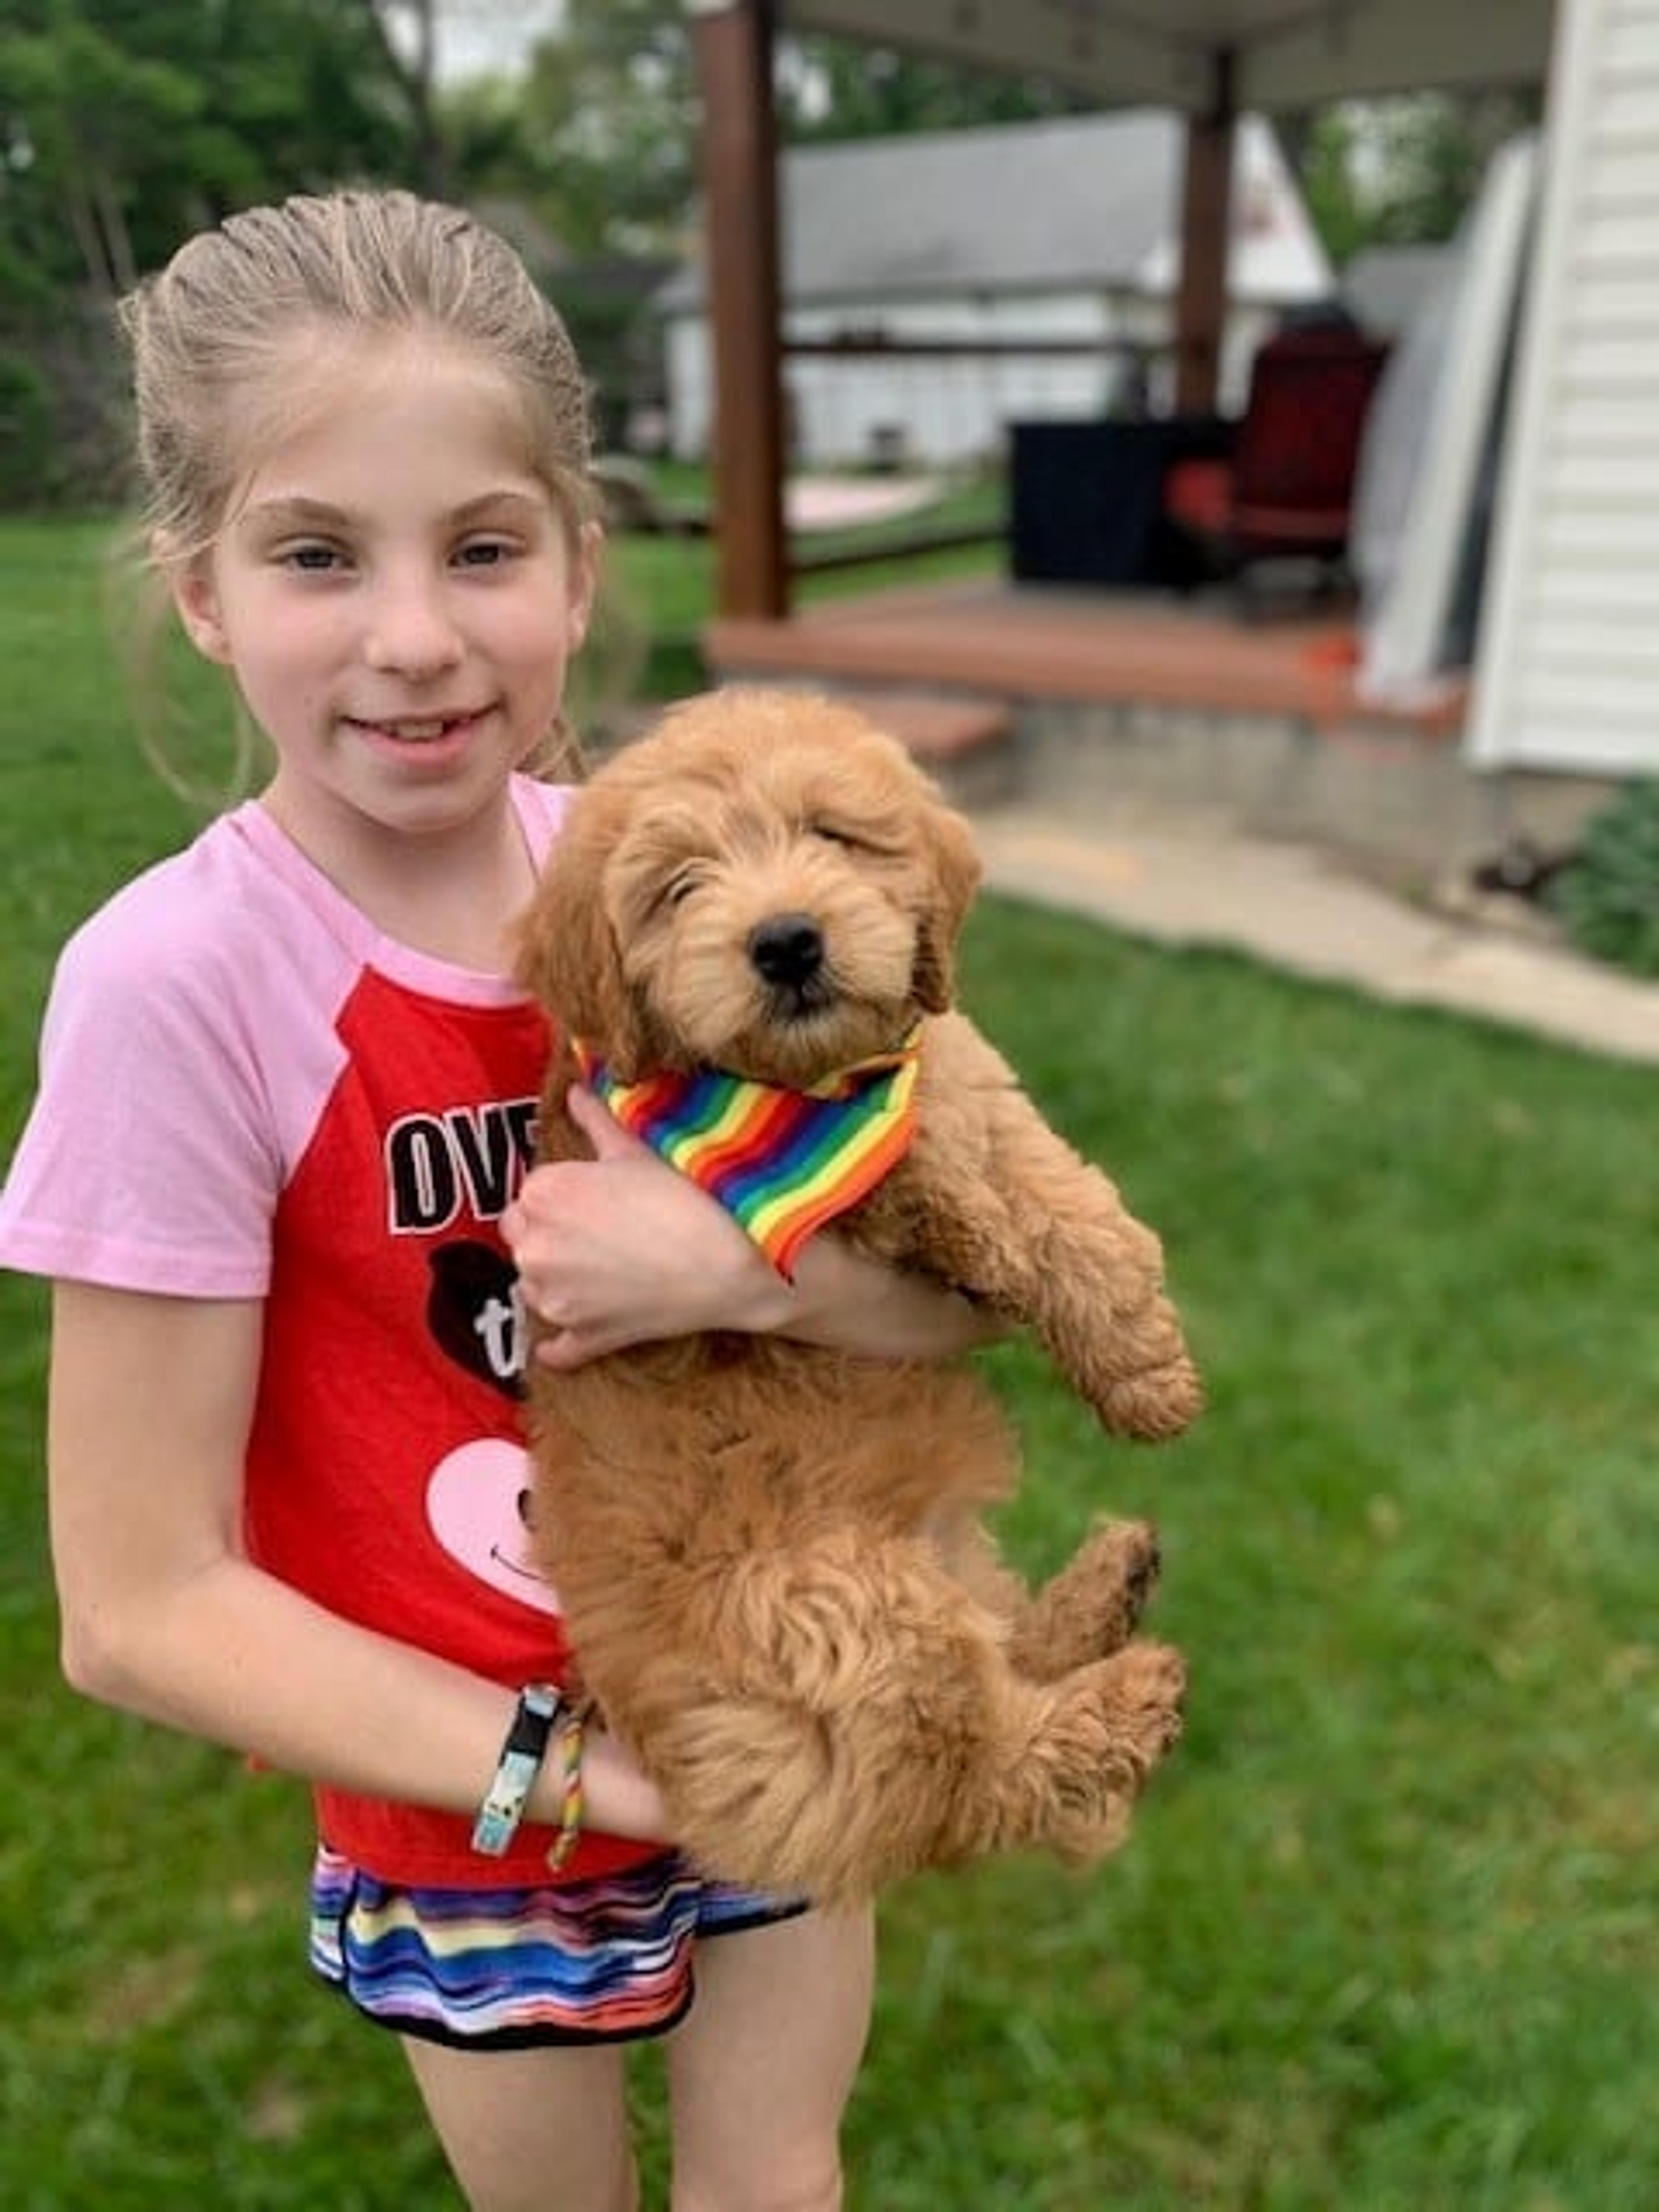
(163, 1614)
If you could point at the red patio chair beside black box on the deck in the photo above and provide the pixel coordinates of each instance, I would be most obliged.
(1288, 486)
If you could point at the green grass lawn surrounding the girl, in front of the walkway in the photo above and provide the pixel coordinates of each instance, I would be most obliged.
(1388, 1932)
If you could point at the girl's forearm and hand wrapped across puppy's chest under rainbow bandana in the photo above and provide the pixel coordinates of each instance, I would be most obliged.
(623, 1249)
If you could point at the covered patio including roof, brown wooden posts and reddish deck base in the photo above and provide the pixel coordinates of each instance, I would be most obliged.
(1189, 693)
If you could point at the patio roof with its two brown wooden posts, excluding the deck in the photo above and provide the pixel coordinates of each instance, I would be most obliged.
(1209, 61)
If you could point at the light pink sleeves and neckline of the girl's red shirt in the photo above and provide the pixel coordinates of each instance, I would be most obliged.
(187, 1058)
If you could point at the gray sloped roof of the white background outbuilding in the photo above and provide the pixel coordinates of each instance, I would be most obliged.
(1087, 200)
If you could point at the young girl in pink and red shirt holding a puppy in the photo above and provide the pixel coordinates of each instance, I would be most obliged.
(275, 1171)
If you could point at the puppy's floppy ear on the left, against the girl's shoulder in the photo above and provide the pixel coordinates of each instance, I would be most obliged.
(567, 952)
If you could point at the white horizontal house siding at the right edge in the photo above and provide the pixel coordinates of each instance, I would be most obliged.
(1567, 671)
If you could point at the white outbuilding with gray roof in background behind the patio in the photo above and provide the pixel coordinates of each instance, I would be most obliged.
(926, 240)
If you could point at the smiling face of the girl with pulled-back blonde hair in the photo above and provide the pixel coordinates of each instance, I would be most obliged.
(397, 596)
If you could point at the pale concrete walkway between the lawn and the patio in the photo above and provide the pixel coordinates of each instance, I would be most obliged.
(1304, 910)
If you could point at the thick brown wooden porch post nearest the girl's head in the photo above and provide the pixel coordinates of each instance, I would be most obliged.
(733, 52)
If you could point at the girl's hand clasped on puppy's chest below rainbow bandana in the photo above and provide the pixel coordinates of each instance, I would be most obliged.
(620, 1251)
